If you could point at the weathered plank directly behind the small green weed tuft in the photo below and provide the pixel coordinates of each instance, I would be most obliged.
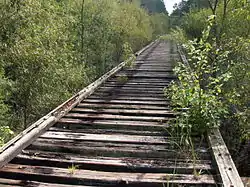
(110, 164)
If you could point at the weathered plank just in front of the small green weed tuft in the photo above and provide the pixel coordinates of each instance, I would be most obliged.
(86, 177)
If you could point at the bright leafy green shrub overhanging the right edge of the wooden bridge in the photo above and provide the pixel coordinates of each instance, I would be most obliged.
(198, 93)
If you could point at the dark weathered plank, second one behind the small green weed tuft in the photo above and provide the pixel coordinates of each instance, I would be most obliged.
(116, 149)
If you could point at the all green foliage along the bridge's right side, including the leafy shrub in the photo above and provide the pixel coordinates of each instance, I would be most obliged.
(214, 87)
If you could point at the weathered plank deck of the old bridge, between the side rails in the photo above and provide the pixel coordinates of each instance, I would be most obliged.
(117, 137)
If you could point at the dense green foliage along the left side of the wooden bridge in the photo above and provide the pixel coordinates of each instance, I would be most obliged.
(51, 49)
